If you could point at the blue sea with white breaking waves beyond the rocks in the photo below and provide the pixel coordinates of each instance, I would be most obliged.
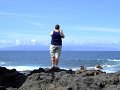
(29, 60)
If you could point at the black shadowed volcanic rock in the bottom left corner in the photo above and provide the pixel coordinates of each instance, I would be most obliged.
(11, 78)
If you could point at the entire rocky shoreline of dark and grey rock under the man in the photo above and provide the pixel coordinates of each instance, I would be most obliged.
(58, 79)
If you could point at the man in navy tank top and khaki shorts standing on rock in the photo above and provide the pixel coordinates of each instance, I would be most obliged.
(56, 45)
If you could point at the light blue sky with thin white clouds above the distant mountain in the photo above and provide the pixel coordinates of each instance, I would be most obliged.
(84, 22)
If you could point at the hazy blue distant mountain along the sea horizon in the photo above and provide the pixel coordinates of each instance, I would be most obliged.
(65, 48)
